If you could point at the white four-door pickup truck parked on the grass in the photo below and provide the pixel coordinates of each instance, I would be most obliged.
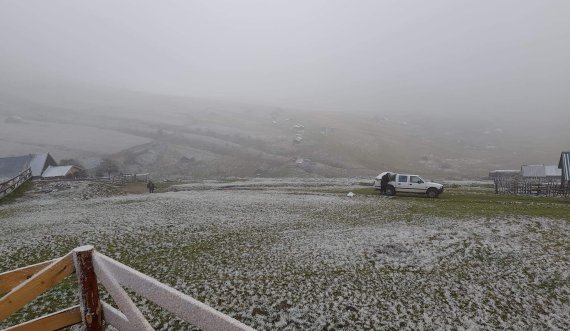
(406, 183)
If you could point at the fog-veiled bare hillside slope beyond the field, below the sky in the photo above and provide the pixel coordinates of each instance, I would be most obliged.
(186, 137)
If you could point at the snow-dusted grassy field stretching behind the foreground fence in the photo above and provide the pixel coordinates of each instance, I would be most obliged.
(307, 259)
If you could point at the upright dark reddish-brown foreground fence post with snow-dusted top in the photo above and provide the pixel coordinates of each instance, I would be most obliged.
(88, 291)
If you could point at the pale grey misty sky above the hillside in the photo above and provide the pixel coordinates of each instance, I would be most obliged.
(441, 55)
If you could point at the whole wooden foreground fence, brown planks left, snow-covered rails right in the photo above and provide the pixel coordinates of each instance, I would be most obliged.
(24, 284)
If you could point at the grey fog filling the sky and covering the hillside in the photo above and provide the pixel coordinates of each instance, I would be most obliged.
(450, 89)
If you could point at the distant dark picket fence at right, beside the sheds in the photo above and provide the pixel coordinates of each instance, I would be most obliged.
(537, 187)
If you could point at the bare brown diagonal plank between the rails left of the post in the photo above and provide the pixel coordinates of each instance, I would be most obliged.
(39, 283)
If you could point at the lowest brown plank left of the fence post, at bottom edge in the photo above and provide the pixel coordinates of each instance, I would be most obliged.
(55, 321)
